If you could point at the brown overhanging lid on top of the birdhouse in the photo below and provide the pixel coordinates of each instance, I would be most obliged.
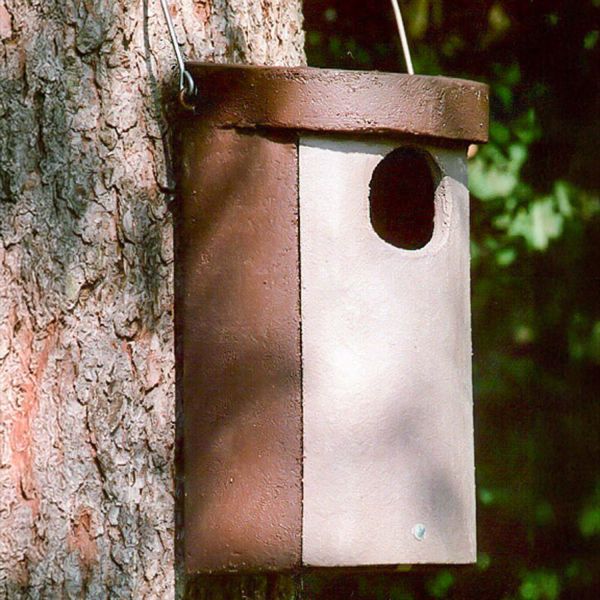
(327, 100)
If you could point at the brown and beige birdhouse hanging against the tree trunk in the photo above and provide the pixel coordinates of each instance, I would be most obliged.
(323, 318)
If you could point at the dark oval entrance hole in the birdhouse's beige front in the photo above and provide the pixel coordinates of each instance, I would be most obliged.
(402, 198)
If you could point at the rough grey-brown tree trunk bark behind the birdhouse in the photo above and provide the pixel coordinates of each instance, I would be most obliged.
(87, 383)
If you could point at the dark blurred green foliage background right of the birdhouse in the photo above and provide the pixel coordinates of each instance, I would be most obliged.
(536, 272)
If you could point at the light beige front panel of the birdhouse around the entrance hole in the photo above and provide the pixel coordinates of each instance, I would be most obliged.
(387, 401)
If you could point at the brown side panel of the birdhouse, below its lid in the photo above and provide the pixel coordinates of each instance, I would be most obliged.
(240, 325)
